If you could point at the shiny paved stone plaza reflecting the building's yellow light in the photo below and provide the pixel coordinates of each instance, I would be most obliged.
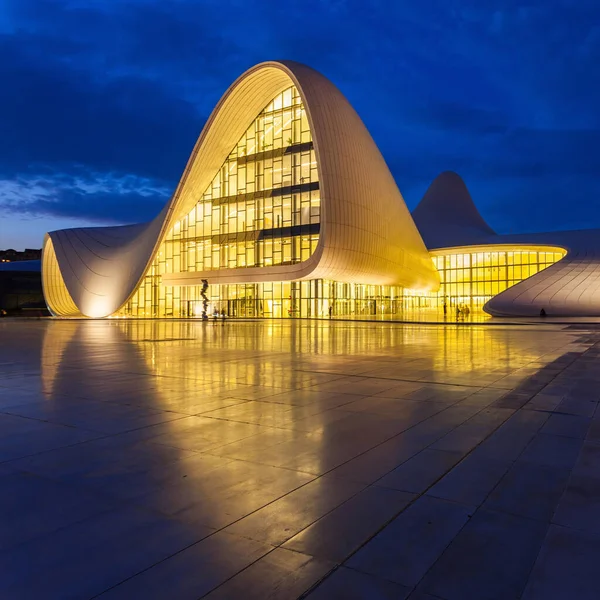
(276, 459)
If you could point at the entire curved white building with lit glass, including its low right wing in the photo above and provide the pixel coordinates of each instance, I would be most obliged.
(286, 208)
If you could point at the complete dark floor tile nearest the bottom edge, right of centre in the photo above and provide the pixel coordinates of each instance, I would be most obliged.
(405, 550)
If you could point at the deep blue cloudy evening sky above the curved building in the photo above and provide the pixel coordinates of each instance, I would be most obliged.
(101, 101)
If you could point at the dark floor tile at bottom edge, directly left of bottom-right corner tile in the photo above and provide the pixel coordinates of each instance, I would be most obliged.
(490, 558)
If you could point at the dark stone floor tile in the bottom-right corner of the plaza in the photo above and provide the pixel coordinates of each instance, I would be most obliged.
(567, 567)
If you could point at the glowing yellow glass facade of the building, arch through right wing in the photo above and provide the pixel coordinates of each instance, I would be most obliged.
(263, 208)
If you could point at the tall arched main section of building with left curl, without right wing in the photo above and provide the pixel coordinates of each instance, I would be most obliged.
(285, 184)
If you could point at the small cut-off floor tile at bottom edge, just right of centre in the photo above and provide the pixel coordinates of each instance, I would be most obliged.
(348, 584)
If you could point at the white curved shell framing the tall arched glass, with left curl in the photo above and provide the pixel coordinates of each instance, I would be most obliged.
(366, 234)
